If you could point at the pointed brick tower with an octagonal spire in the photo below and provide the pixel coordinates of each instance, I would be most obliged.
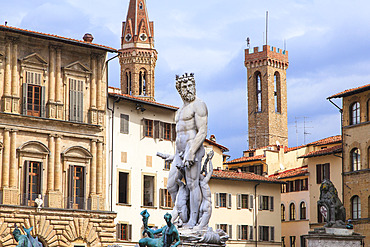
(137, 54)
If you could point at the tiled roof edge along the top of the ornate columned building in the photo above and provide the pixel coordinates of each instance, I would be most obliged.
(53, 36)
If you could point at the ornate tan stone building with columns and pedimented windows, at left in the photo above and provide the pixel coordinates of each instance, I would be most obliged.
(52, 138)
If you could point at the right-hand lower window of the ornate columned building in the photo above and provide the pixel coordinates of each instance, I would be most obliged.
(77, 179)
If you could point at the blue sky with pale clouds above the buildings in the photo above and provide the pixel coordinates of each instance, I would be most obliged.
(328, 44)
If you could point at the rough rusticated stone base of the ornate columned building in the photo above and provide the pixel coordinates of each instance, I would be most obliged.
(58, 227)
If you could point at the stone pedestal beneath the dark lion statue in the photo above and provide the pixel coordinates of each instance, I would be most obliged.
(329, 237)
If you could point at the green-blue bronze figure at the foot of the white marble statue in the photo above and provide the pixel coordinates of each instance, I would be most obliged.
(169, 233)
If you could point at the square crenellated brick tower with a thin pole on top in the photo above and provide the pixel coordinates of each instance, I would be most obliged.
(267, 96)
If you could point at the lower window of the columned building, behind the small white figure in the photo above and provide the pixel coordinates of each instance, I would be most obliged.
(33, 182)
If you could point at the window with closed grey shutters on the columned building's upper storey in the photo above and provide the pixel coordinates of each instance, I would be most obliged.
(75, 100)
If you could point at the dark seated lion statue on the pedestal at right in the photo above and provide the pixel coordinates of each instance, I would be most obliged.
(330, 205)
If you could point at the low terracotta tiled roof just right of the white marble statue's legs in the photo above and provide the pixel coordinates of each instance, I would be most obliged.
(243, 176)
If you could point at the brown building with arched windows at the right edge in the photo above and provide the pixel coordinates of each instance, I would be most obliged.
(356, 157)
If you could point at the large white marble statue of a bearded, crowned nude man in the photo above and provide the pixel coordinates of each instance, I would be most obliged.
(191, 131)
